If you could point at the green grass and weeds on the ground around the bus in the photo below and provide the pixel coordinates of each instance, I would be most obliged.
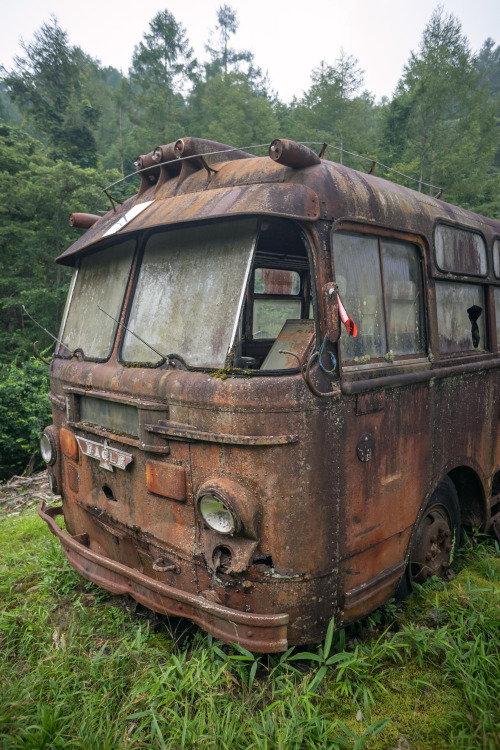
(80, 668)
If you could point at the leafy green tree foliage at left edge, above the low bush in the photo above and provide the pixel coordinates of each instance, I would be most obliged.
(39, 196)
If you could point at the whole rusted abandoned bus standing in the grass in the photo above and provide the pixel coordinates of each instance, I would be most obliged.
(227, 450)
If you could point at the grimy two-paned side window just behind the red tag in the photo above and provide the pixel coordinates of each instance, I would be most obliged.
(380, 286)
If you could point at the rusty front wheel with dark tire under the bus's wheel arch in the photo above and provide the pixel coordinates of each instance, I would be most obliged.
(434, 540)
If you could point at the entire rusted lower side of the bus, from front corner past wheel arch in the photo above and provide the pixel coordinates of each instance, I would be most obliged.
(415, 435)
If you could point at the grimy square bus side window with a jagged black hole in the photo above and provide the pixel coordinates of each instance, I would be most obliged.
(460, 312)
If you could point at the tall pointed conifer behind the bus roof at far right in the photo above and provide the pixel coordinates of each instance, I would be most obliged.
(440, 124)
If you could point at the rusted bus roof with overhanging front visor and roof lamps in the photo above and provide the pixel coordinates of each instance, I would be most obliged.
(214, 181)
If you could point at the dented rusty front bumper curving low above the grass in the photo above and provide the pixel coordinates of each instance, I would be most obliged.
(258, 633)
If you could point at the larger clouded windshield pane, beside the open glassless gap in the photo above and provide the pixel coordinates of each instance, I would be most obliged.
(190, 292)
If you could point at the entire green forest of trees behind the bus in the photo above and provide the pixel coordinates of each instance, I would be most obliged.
(69, 127)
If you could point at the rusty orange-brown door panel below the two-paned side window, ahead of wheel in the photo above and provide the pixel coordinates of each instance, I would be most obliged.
(387, 454)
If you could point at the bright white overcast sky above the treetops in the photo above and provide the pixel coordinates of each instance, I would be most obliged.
(288, 40)
